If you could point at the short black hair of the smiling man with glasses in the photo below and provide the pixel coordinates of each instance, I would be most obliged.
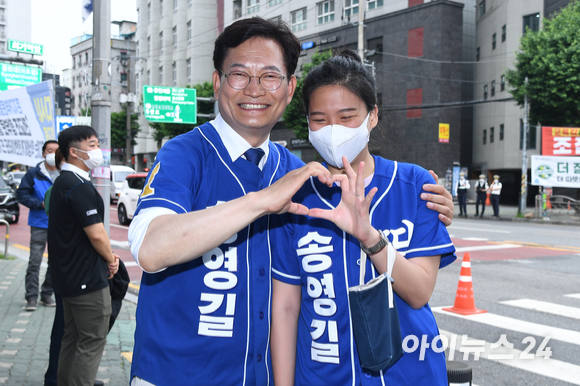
(245, 29)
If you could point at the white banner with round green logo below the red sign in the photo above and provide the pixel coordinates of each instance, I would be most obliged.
(563, 172)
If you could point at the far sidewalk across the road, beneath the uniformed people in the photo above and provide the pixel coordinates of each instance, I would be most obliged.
(510, 213)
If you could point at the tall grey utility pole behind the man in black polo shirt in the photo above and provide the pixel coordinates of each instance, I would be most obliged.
(101, 96)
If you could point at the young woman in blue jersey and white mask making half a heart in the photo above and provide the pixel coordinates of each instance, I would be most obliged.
(315, 258)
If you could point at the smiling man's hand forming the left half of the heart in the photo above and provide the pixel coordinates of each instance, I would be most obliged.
(277, 199)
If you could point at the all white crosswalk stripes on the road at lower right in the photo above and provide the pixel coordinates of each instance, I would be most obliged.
(461, 346)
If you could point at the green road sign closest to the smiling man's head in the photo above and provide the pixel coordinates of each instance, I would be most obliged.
(170, 104)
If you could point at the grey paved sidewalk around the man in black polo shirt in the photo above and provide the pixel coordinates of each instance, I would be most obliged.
(25, 336)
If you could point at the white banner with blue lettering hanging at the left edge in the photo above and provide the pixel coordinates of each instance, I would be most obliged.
(26, 122)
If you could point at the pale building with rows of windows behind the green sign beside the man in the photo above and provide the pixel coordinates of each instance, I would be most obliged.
(175, 40)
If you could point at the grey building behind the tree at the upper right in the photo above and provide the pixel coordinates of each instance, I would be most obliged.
(498, 126)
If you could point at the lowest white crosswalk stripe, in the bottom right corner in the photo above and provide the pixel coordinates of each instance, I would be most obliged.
(551, 368)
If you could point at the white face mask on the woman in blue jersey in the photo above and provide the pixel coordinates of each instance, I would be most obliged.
(335, 141)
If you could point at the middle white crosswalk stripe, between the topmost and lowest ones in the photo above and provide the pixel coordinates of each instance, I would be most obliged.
(518, 325)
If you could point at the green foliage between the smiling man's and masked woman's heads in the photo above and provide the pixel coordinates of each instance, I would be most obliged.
(294, 116)
